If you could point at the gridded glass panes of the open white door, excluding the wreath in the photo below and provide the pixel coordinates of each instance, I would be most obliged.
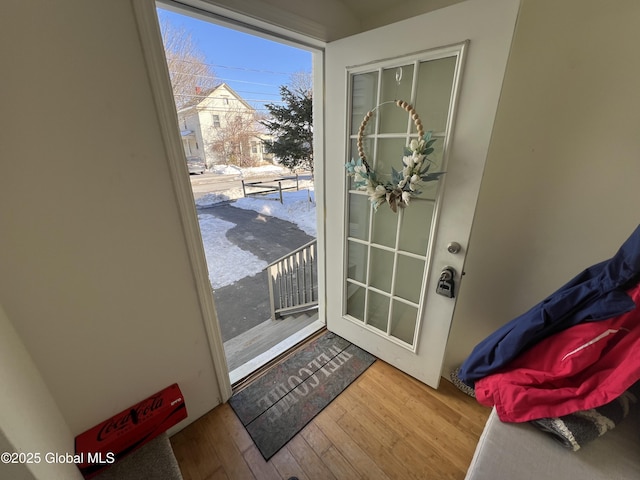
(387, 252)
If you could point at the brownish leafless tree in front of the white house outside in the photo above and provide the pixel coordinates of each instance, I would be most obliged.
(232, 139)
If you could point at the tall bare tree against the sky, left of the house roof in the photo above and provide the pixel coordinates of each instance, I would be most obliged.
(190, 75)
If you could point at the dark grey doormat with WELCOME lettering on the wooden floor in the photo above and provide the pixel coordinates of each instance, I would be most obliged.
(279, 404)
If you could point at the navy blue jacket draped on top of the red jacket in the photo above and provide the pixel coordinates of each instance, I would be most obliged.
(595, 294)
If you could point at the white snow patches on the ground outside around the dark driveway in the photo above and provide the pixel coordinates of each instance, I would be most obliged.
(228, 263)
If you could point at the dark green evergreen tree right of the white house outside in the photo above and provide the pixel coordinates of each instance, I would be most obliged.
(291, 126)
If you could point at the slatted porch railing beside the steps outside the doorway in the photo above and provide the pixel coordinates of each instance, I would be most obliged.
(293, 281)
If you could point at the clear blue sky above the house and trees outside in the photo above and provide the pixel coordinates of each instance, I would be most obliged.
(253, 67)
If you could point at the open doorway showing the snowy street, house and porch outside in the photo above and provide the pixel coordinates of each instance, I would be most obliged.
(255, 202)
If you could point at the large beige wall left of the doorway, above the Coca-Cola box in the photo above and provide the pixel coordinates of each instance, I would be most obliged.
(94, 268)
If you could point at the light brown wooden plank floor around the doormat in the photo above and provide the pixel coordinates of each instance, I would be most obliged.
(385, 425)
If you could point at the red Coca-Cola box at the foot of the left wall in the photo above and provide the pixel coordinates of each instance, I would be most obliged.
(110, 441)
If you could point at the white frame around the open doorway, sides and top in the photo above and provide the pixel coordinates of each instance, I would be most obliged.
(153, 51)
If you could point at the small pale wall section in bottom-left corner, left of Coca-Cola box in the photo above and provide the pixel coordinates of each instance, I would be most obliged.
(30, 421)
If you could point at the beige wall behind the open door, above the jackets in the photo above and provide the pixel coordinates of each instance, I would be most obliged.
(560, 190)
